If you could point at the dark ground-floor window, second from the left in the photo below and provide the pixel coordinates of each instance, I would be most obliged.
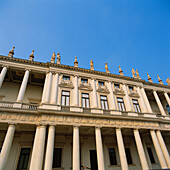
(57, 157)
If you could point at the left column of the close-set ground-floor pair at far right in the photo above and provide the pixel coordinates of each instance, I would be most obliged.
(158, 150)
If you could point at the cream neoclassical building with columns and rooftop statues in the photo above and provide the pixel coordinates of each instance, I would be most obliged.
(60, 117)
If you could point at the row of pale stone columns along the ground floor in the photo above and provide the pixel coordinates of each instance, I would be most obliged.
(39, 145)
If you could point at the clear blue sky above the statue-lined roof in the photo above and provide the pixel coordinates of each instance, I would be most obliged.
(130, 33)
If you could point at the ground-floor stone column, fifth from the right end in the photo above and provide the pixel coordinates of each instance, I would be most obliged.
(99, 147)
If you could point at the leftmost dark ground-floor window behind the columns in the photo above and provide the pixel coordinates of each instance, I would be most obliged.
(24, 159)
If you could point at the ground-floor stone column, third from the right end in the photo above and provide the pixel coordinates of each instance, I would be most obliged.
(140, 149)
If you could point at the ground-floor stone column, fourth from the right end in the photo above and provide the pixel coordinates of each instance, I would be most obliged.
(122, 154)
